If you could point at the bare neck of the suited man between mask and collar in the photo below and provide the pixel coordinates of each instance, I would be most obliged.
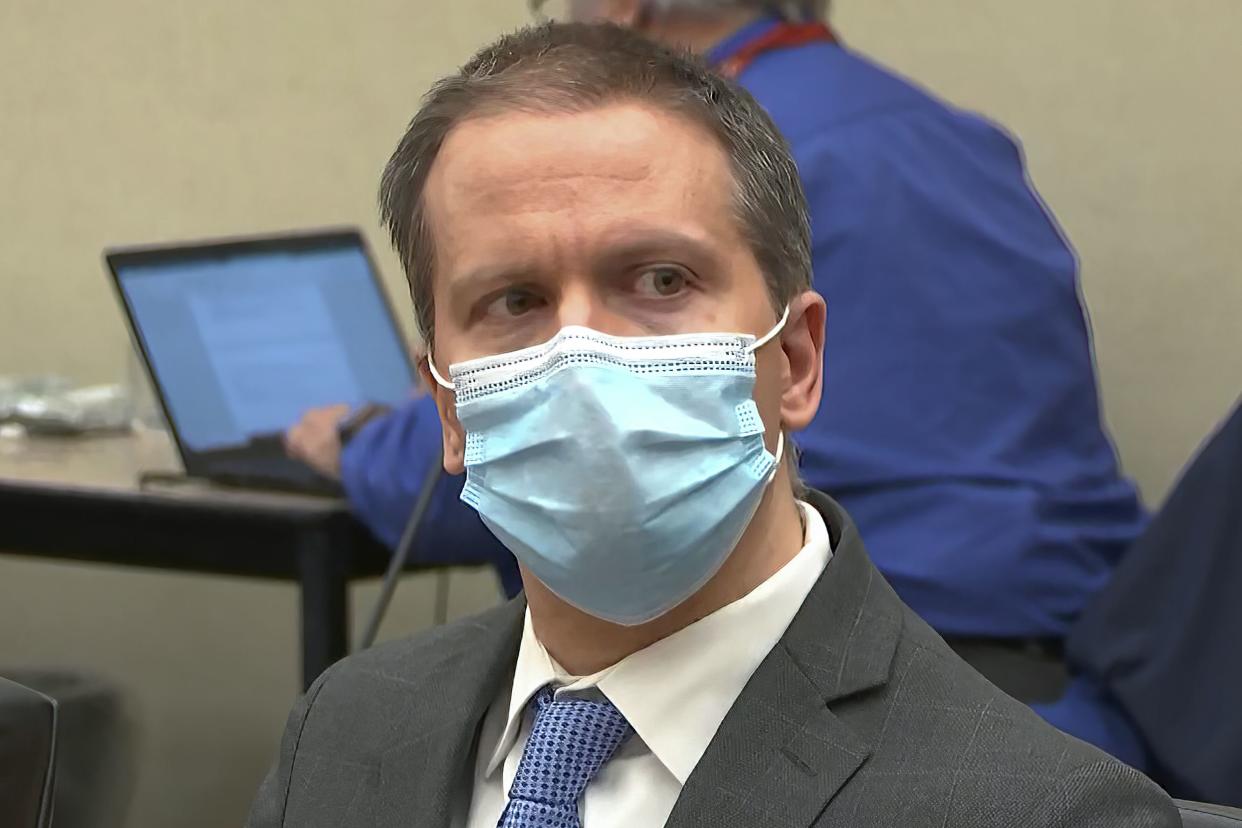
(586, 645)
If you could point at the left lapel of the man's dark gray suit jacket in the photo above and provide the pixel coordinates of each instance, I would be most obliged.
(428, 767)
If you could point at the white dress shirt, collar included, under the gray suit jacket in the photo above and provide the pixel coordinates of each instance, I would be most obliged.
(675, 693)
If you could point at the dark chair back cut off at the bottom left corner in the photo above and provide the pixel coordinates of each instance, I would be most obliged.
(28, 757)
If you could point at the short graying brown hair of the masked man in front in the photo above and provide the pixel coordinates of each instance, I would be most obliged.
(576, 68)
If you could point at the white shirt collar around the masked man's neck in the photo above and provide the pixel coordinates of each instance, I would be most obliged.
(676, 711)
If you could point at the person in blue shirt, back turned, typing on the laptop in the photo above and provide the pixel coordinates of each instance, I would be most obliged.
(961, 416)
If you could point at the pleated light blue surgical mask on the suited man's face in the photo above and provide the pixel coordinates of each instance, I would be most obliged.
(622, 471)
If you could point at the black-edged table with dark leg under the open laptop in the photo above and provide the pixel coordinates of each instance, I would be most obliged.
(78, 500)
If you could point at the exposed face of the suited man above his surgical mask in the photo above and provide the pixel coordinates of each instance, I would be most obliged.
(618, 219)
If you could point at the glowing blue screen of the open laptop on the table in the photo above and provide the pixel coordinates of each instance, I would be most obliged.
(243, 343)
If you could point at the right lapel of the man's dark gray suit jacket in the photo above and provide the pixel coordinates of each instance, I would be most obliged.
(783, 754)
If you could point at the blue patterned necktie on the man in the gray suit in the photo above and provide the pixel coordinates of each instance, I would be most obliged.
(569, 743)
